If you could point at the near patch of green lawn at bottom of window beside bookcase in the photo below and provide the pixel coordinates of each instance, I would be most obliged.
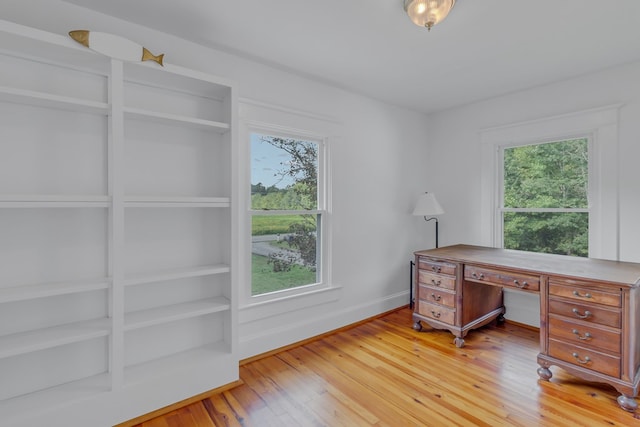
(265, 280)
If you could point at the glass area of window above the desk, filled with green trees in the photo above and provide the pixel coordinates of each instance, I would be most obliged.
(545, 197)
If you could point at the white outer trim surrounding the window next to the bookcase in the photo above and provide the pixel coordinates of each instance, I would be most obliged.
(246, 299)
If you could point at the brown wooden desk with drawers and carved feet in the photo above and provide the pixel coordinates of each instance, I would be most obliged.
(589, 319)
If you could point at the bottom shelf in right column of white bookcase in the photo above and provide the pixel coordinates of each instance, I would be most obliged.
(143, 372)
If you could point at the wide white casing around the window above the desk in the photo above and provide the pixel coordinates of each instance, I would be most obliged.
(601, 126)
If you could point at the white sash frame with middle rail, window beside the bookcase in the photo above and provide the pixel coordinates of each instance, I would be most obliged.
(321, 212)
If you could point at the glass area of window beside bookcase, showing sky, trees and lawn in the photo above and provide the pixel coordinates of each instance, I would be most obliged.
(286, 213)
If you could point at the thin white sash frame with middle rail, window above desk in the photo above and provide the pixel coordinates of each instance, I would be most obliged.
(592, 197)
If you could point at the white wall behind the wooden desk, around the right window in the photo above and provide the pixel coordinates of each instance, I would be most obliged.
(455, 153)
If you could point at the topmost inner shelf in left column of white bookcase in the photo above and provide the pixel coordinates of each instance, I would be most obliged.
(42, 99)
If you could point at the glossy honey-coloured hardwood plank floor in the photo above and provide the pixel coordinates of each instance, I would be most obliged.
(383, 373)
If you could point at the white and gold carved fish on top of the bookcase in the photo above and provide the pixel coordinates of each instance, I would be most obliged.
(114, 46)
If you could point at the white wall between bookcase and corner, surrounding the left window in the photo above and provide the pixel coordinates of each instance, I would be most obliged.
(378, 169)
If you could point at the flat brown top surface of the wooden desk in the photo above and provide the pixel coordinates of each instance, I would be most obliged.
(623, 273)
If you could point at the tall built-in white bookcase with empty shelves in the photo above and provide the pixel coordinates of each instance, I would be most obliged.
(116, 231)
